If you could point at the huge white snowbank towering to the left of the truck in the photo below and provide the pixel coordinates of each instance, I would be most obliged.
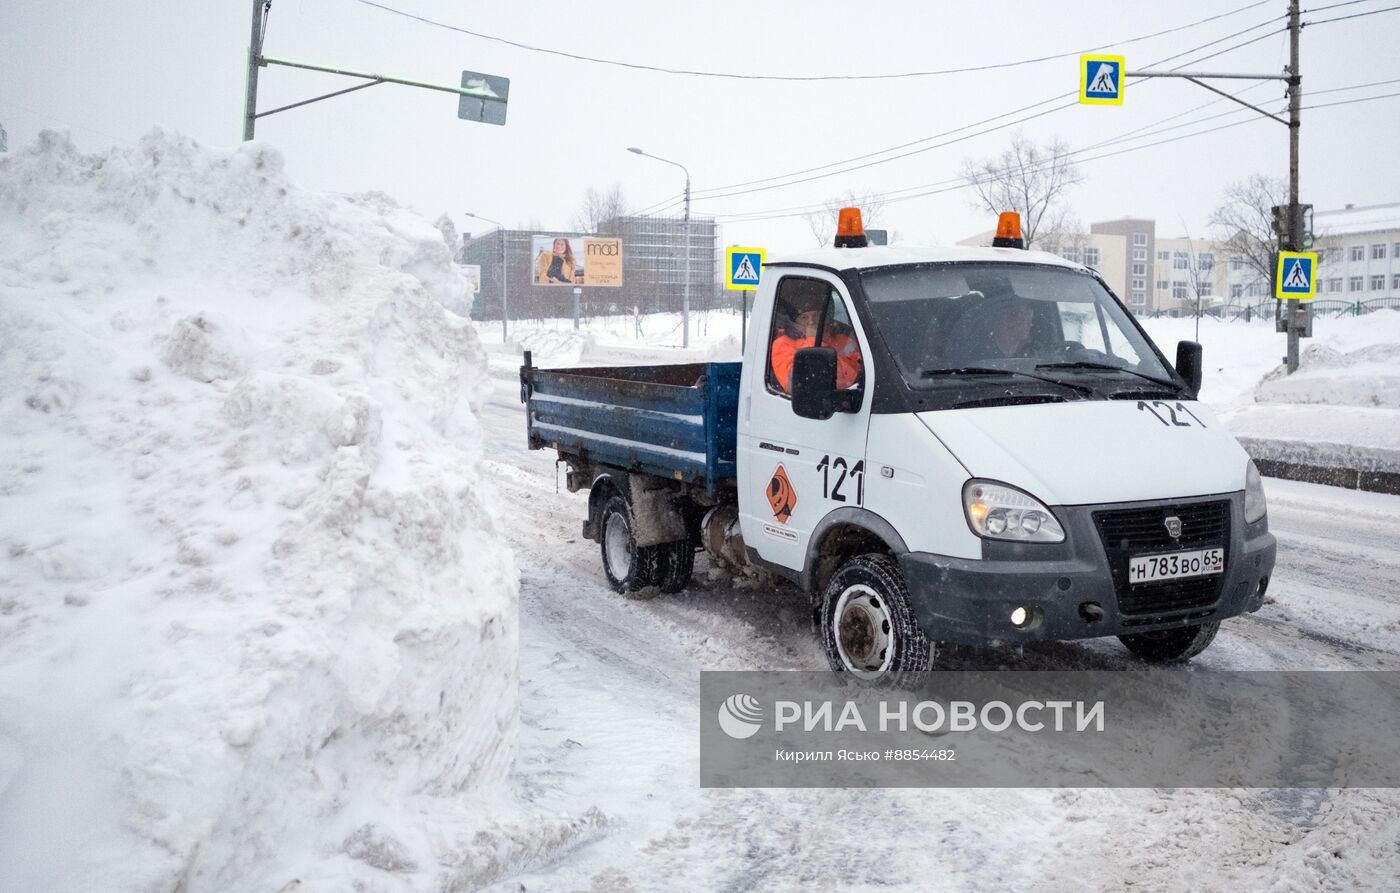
(257, 619)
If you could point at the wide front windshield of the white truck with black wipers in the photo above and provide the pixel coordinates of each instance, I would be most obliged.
(946, 323)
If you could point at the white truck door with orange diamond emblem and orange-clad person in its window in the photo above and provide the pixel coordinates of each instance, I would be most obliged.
(794, 471)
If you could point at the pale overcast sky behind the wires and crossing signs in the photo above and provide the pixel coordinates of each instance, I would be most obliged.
(108, 72)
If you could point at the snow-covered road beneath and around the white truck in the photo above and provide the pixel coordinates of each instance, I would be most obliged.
(610, 723)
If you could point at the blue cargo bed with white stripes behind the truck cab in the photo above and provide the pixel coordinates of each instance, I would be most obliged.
(675, 422)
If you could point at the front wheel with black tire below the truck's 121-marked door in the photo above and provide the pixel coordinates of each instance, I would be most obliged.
(876, 638)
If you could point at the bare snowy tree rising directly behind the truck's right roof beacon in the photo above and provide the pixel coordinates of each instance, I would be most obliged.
(1025, 178)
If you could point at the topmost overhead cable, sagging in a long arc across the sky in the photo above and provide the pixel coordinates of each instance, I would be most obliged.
(794, 78)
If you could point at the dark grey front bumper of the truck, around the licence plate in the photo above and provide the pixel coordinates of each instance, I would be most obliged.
(1076, 590)
